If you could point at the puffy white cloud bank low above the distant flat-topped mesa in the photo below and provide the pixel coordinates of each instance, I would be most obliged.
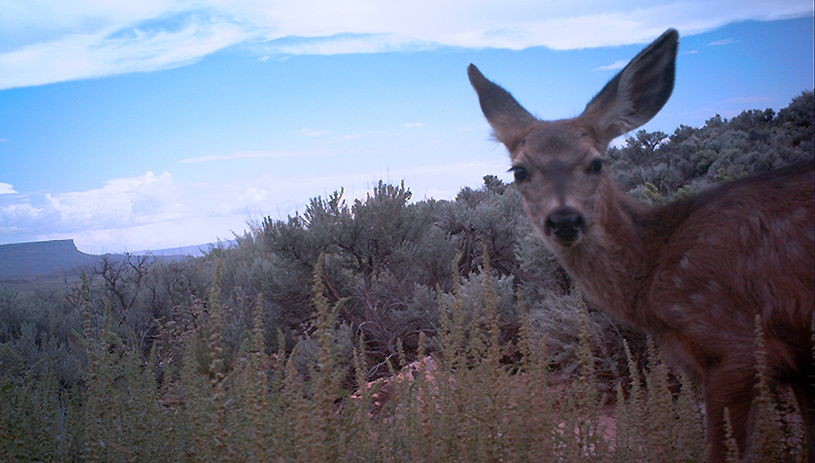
(145, 212)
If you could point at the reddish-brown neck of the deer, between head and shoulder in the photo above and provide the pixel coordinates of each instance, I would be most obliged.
(615, 261)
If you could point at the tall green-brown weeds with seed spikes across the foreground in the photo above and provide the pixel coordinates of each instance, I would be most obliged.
(461, 404)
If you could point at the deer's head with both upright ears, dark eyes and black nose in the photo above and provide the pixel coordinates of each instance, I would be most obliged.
(558, 165)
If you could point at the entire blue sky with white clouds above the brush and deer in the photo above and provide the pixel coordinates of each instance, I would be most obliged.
(128, 126)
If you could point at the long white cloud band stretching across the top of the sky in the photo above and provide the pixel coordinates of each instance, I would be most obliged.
(44, 42)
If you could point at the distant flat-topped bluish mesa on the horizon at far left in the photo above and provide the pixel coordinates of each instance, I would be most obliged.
(41, 258)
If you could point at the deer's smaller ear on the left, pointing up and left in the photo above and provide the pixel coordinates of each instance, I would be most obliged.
(507, 118)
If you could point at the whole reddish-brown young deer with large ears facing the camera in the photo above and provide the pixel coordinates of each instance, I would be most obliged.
(693, 273)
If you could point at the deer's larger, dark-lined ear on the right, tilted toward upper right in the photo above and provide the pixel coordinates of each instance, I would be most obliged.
(636, 94)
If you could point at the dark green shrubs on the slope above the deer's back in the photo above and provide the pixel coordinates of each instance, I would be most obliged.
(753, 142)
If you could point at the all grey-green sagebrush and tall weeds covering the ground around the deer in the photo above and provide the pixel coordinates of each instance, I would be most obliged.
(253, 352)
